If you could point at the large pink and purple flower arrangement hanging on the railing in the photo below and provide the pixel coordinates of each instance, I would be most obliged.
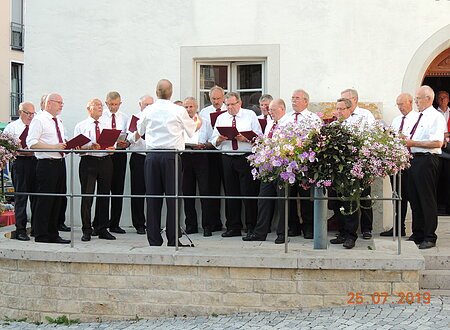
(344, 157)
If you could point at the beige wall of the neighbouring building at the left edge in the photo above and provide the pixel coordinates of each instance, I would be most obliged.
(6, 57)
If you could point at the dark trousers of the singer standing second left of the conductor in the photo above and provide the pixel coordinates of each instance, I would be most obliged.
(117, 185)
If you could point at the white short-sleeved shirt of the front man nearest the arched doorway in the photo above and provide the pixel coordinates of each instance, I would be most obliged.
(432, 127)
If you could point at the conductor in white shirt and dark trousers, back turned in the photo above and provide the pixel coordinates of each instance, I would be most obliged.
(164, 125)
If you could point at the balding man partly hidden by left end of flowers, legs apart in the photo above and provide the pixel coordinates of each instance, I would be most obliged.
(266, 207)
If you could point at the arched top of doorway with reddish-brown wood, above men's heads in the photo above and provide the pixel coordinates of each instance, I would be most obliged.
(437, 75)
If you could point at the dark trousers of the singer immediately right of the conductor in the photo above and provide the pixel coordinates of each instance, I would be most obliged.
(195, 171)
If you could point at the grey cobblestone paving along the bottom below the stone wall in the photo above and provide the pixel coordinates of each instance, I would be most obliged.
(435, 315)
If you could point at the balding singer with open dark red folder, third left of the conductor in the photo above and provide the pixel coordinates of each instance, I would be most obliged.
(94, 169)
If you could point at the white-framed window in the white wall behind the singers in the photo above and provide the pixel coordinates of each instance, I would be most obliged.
(245, 77)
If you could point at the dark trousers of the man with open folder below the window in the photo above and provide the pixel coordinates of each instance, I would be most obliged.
(238, 181)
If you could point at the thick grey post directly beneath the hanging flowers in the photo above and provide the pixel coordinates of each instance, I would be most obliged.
(320, 216)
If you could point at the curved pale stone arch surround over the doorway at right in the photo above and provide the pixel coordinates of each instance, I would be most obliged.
(423, 57)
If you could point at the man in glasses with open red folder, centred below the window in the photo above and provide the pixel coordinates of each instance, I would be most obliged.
(238, 179)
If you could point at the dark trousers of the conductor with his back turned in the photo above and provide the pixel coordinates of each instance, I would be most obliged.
(160, 180)
